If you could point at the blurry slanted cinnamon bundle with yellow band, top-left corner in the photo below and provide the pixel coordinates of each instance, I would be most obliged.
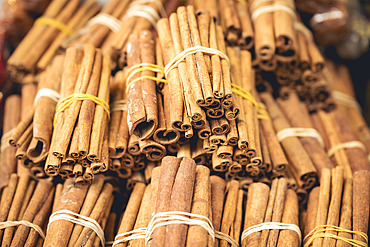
(59, 21)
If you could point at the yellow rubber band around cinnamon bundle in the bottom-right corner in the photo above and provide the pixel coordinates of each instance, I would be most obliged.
(321, 233)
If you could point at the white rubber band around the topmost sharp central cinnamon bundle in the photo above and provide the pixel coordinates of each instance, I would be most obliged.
(182, 55)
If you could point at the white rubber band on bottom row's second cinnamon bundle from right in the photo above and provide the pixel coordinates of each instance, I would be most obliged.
(271, 226)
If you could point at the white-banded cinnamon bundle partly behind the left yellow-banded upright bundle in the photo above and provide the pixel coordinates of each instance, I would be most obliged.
(32, 136)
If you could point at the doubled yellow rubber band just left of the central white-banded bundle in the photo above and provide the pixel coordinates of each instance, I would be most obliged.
(142, 67)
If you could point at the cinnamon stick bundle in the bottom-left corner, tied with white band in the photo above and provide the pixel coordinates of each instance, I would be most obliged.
(25, 208)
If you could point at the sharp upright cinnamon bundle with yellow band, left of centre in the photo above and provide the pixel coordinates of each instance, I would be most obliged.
(79, 145)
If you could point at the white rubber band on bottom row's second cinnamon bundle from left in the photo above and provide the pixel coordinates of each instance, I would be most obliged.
(65, 214)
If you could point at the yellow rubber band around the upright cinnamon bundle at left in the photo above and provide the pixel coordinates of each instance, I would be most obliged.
(67, 101)
